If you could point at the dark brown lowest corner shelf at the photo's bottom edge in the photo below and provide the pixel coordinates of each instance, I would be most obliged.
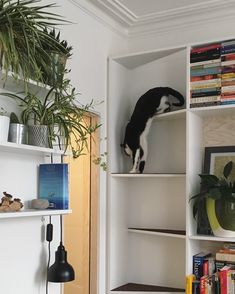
(146, 288)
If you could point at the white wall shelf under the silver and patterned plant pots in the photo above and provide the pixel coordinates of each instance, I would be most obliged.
(28, 149)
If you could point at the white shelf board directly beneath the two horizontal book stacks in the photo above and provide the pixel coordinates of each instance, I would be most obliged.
(214, 110)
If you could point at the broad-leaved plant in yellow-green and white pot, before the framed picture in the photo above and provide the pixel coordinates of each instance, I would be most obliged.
(219, 194)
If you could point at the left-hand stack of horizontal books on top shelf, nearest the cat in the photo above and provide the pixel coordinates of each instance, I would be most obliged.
(205, 75)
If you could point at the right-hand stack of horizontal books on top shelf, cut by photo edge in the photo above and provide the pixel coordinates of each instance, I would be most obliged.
(228, 72)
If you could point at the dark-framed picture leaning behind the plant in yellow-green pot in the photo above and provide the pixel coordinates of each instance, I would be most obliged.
(216, 158)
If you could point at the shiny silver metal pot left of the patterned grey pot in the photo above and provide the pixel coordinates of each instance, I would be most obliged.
(18, 133)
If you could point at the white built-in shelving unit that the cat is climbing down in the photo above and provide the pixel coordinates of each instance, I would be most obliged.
(146, 212)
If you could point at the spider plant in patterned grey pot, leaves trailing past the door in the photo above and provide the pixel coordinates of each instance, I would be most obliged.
(59, 115)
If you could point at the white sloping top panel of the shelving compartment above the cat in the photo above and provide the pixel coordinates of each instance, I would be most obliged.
(134, 60)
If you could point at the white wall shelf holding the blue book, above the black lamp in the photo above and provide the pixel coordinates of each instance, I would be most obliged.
(34, 212)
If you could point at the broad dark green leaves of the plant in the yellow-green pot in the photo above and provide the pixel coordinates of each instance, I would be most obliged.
(215, 188)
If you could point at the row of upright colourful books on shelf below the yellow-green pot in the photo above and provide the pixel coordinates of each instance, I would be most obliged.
(212, 274)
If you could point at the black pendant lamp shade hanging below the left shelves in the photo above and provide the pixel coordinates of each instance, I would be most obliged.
(61, 271)
